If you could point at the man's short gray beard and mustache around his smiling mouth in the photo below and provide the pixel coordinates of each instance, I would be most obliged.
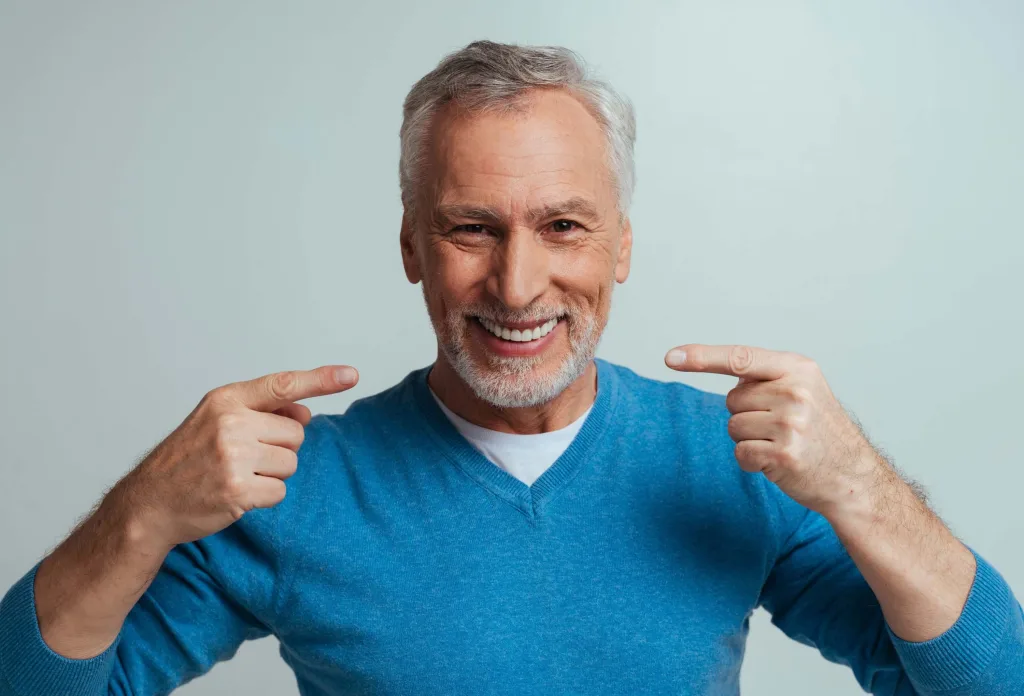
(509, 382)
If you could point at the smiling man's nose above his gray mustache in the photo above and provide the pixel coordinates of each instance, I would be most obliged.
(521, 273)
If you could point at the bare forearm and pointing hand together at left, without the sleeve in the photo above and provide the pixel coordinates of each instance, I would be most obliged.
(230, 456)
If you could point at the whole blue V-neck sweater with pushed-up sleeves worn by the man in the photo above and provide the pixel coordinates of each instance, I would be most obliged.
(404, 562)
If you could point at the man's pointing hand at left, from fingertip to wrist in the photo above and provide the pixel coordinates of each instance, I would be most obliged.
(231, 455)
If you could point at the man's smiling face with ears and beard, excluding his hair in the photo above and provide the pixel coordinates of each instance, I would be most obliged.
(519, 243)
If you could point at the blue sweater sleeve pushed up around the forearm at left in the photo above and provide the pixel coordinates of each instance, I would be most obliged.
(185, 623)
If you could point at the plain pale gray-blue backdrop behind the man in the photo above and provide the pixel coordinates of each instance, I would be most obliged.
(198, 193)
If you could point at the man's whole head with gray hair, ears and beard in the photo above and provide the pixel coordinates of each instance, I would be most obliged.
(517, 176)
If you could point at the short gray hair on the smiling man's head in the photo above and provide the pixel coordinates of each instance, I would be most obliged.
(488, 76)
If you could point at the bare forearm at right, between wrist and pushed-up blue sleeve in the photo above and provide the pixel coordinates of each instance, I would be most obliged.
(919, 572)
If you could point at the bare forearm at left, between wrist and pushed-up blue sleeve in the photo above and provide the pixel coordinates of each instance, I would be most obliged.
(86, 589)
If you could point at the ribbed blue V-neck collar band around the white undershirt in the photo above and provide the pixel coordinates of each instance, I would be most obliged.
(529, 500)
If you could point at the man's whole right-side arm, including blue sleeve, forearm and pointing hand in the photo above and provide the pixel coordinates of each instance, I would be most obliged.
(949, 617)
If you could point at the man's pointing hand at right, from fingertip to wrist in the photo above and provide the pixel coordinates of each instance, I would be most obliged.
(788, 425)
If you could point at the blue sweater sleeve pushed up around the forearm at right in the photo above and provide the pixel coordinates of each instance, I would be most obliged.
(817, 595)
